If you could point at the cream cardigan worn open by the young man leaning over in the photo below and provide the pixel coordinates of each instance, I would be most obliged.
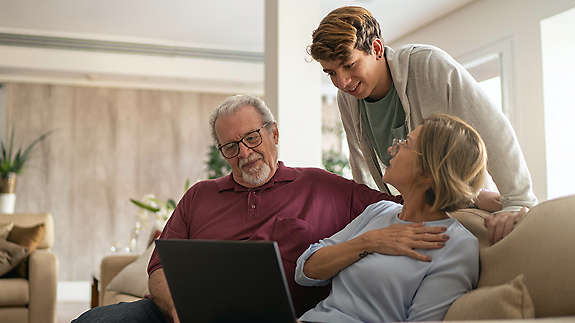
(429, 81)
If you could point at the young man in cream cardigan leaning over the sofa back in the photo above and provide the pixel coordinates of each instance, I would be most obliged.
(384, 94)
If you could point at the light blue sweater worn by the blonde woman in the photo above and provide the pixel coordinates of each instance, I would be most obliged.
(381, 288)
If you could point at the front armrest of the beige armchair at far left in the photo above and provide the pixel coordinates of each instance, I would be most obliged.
(43, 279)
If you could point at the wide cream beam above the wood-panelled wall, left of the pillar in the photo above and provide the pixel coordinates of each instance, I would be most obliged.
(95, 68)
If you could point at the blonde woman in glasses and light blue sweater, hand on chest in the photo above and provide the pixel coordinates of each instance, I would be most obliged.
(438, 169)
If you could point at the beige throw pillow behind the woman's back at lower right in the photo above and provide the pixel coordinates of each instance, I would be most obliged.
(506, 301)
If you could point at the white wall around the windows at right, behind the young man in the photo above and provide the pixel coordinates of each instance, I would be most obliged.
(484, 22)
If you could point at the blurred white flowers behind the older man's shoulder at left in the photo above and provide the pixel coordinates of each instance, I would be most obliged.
(151, 209)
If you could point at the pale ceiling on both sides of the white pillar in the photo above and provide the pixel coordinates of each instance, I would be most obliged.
(217, 24)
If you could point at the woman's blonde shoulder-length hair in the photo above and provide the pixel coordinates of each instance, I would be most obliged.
(455, 157)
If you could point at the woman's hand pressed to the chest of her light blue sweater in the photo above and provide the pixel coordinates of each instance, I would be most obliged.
(400, 239)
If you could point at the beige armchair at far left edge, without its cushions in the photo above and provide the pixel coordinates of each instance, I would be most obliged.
(32, 300)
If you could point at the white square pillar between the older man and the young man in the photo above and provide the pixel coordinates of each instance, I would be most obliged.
(292, 83)
